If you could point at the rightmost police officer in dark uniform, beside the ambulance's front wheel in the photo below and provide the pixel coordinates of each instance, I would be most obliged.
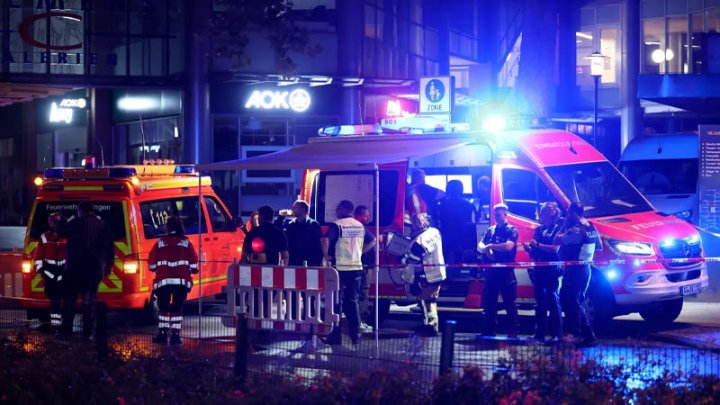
(578, 240)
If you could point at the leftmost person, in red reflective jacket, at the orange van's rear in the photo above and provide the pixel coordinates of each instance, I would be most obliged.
(50, 263)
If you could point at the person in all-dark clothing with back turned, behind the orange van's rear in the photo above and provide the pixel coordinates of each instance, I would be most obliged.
(90, 257)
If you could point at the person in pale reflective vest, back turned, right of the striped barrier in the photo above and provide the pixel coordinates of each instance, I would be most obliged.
(342, 247)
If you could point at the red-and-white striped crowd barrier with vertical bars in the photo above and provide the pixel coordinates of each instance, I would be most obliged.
(279, 298)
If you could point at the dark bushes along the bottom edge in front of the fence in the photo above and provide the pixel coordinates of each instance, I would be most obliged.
(35, 371)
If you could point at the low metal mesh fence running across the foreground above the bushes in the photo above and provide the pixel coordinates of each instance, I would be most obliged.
(279, 355)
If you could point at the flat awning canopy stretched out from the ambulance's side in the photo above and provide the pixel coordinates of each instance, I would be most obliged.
(346, 153)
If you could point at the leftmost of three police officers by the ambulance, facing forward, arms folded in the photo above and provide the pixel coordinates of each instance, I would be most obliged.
(499, 245)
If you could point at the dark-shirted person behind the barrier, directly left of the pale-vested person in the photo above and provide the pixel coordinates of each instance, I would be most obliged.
(303, 235)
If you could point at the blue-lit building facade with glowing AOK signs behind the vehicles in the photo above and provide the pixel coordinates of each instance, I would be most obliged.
(128, 81)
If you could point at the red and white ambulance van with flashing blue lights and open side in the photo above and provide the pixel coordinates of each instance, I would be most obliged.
(649, 263)
